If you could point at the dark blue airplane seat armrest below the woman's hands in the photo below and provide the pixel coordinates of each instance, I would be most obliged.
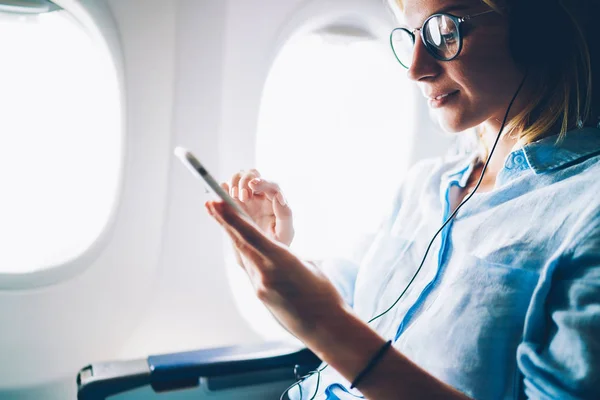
(218, 373)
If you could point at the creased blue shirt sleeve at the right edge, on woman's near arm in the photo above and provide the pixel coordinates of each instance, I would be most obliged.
(560, 353)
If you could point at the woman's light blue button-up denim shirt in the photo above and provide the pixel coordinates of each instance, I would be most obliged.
(507, 303)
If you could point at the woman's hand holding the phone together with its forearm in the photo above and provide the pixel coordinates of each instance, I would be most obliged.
(306, 304)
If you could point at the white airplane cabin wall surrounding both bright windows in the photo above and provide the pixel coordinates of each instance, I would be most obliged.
(192, 73)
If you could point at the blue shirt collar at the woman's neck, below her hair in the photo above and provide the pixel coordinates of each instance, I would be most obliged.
(547, 155)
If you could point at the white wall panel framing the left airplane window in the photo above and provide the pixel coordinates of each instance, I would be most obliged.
(48, 333)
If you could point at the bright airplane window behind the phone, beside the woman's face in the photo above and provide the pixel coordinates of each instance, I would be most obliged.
(335, 130)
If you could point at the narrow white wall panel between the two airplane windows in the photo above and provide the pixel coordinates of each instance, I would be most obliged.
(191, 306)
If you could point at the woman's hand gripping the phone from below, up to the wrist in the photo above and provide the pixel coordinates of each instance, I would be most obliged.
(295, 292)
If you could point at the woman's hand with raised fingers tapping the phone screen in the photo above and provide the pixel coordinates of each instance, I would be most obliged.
(264, 203)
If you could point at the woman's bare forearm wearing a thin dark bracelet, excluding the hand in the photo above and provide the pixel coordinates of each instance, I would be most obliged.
(348, 344)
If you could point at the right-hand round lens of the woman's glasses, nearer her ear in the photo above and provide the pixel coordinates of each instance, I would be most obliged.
(441, 37)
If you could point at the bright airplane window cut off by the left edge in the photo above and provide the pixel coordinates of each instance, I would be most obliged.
(60, 140)
